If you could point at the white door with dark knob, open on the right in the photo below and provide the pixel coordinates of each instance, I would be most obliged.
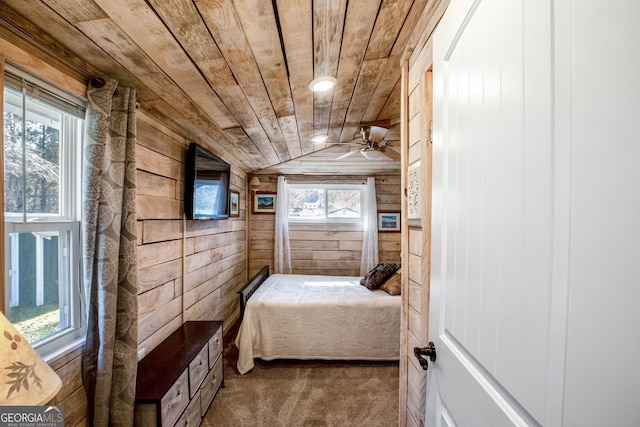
(535, 272)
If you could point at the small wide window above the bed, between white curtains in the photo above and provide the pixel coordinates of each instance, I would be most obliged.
(337, 202)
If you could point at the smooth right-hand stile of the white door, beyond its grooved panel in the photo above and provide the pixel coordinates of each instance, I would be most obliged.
(600, 118)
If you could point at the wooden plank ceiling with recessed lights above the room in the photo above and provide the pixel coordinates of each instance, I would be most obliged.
(234, 74)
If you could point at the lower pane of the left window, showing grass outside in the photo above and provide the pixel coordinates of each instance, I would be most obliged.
(36, 269)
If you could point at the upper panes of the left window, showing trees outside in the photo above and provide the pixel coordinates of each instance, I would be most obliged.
(42, 135)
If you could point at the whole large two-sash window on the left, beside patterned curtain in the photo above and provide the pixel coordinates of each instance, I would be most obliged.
(43, 131)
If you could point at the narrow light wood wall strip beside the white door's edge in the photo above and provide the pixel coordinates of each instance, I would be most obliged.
(416, 243)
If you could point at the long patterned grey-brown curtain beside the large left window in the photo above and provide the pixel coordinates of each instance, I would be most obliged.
(109, 254)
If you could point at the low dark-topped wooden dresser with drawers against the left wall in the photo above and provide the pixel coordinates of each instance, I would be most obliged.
(178, 379)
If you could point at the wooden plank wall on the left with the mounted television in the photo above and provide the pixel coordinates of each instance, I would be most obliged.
(187, 270)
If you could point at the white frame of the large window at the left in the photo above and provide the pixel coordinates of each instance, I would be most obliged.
(66, 222)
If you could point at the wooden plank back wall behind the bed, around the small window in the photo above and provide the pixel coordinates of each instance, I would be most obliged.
(325, 249)
